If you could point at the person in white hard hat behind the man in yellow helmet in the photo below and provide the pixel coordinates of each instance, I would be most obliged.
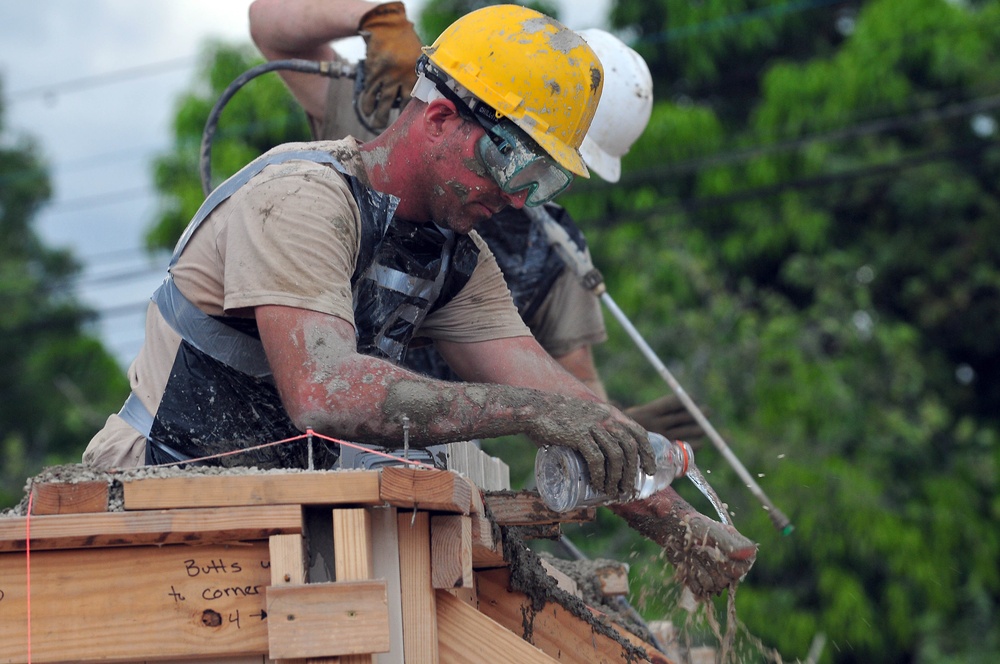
(563, 316)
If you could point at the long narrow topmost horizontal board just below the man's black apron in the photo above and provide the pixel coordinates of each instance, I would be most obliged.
(355, 487)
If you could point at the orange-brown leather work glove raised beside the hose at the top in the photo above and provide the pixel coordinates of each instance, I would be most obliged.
(390, 64)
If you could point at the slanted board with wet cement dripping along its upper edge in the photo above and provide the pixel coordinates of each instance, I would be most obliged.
(553, 628)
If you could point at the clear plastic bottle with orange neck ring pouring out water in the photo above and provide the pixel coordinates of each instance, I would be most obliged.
(563, 480)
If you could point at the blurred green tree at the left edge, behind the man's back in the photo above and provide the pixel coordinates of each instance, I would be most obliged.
(57, 381)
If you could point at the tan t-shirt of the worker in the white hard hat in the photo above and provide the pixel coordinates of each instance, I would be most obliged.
(569, 316)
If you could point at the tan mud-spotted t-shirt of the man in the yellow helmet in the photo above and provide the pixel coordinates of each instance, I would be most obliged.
(289, 237)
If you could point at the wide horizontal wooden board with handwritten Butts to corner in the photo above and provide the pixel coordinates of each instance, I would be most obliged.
(134, 604)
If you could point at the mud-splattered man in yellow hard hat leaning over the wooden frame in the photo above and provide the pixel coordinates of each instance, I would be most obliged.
(296, 289)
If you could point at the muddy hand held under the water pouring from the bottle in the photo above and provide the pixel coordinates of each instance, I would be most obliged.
(708, 556)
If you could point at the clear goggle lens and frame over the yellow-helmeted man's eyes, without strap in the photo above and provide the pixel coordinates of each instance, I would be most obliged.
(516, 163)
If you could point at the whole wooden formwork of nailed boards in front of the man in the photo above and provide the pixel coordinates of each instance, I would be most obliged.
(390, 566)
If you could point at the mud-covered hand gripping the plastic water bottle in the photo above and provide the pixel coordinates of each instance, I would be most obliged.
(613, 446)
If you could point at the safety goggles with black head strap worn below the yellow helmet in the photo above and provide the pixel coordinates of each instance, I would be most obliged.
(509, 155)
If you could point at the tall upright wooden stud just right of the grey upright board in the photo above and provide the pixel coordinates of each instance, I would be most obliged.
(419, 606)
